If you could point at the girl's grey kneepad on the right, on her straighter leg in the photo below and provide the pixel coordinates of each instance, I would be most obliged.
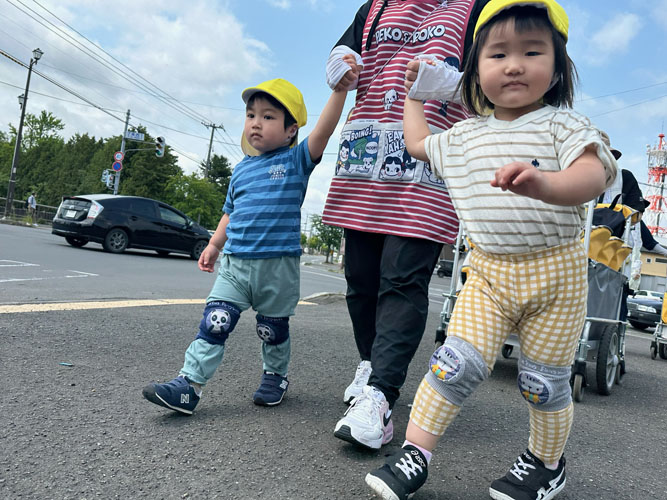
(545, 387)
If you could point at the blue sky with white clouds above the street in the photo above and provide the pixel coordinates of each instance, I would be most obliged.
(200, 54)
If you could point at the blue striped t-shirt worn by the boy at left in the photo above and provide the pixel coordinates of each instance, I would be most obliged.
(264, 203)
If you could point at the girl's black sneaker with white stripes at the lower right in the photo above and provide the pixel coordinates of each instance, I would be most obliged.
(529, 479)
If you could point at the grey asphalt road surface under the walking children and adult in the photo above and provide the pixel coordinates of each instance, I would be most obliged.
(81, 430)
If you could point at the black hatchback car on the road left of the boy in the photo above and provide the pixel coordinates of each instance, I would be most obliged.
(120, 222)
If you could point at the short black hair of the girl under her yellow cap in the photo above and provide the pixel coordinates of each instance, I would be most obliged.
(525, 18)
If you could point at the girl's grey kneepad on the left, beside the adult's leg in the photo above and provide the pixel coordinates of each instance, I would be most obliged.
(456, 369)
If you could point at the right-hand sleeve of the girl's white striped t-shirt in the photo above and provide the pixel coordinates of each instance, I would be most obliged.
(574, 135)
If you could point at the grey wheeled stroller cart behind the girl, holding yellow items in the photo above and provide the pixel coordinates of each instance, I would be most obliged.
(603, 336)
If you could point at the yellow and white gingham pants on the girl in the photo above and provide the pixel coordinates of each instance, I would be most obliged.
(539, 295)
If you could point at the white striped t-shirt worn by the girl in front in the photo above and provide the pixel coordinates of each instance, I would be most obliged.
(468, 155)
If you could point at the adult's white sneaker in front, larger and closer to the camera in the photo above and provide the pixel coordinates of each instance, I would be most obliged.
(367, 422)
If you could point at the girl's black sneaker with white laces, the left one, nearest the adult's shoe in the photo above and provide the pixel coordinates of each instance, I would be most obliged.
(403, 473)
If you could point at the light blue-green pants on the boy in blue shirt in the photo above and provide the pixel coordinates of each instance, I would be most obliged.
(270, 287)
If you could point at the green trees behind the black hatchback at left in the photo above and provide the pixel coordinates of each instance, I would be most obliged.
(53, 168)
